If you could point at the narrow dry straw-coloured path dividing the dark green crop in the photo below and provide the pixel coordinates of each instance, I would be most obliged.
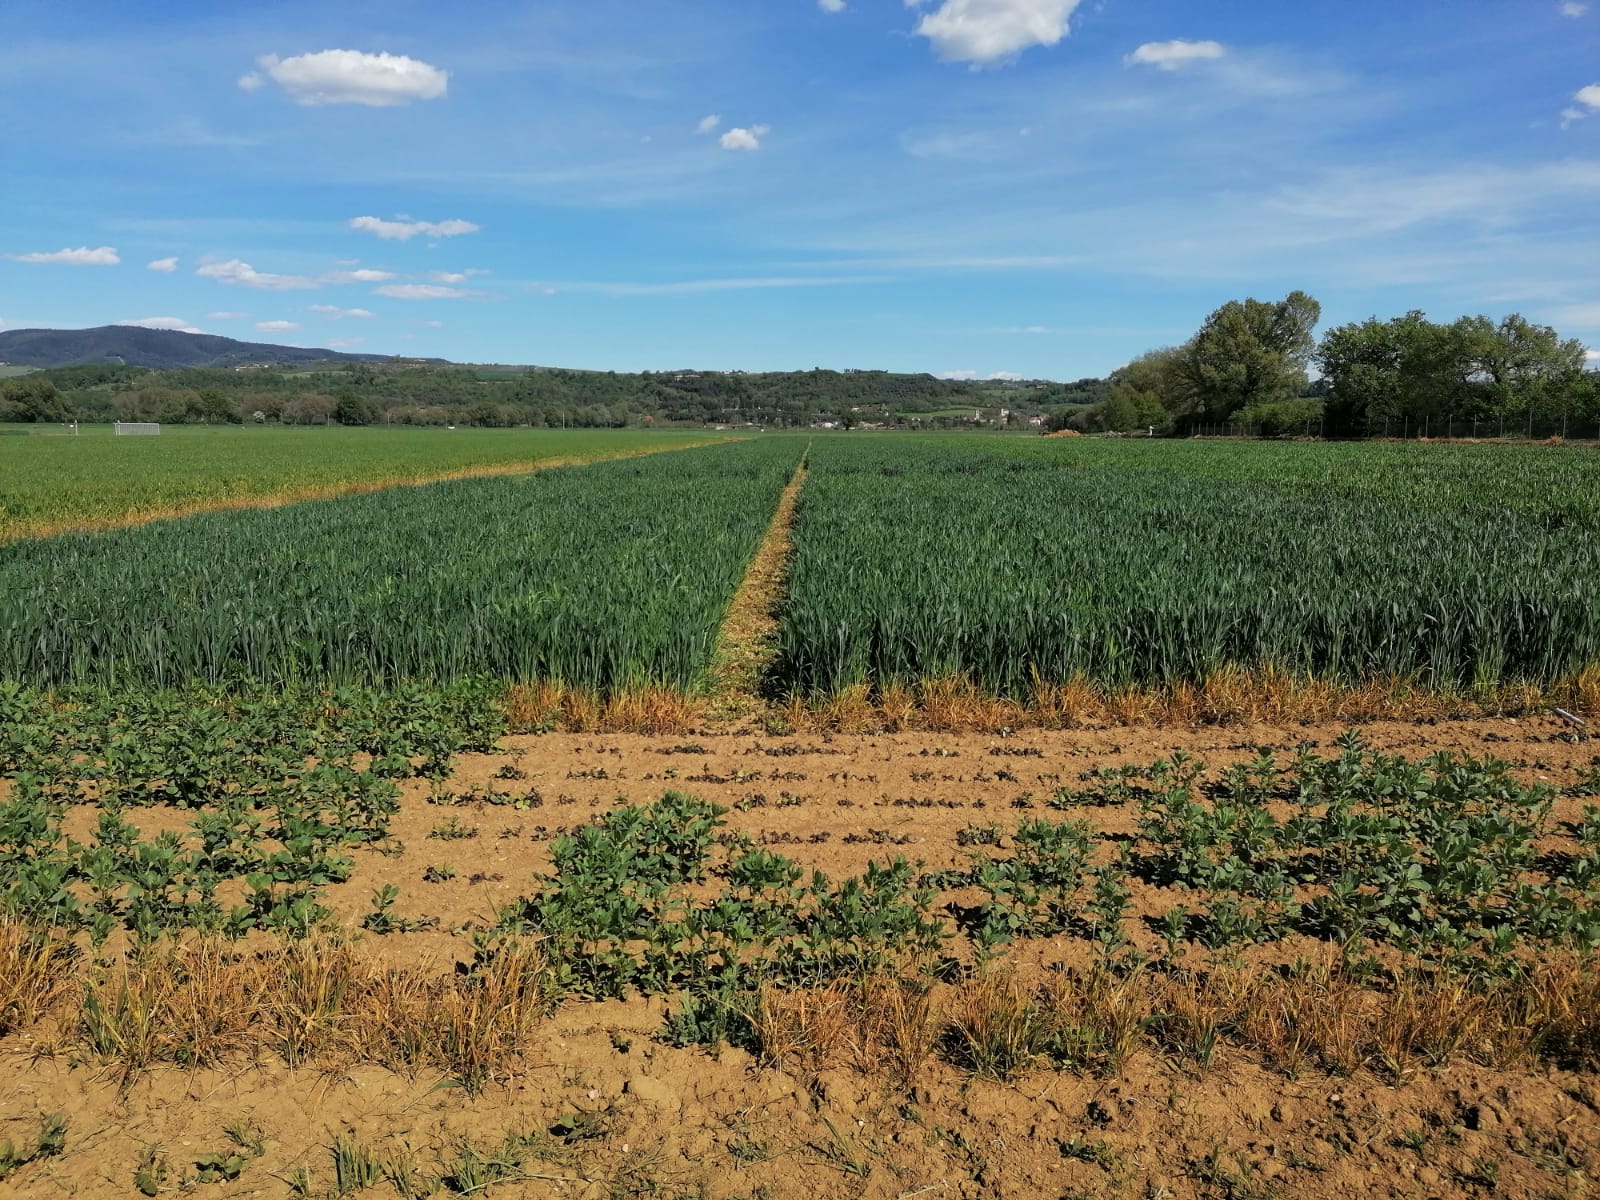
(748, 639)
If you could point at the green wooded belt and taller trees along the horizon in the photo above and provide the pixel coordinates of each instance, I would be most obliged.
(1254, 367)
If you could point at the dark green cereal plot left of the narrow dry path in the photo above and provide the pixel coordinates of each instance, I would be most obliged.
(606, 577)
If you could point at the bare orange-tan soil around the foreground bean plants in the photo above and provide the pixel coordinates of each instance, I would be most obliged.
(655, 1121)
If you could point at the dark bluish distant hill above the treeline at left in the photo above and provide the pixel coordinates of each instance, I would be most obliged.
(162, 350)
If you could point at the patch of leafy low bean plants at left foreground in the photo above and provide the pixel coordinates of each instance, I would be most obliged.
(278, 788)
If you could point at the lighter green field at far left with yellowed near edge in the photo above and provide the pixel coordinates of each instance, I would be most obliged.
(52, 482)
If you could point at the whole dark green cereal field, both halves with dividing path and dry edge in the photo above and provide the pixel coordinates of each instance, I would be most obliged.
(1065, 582)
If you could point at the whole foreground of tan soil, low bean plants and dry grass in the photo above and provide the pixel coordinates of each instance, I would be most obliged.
(1289, 958)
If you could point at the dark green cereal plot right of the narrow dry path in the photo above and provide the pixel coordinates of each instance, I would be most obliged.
(1148, 562)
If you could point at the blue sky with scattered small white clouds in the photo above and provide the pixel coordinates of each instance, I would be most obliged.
(1038, 188)
